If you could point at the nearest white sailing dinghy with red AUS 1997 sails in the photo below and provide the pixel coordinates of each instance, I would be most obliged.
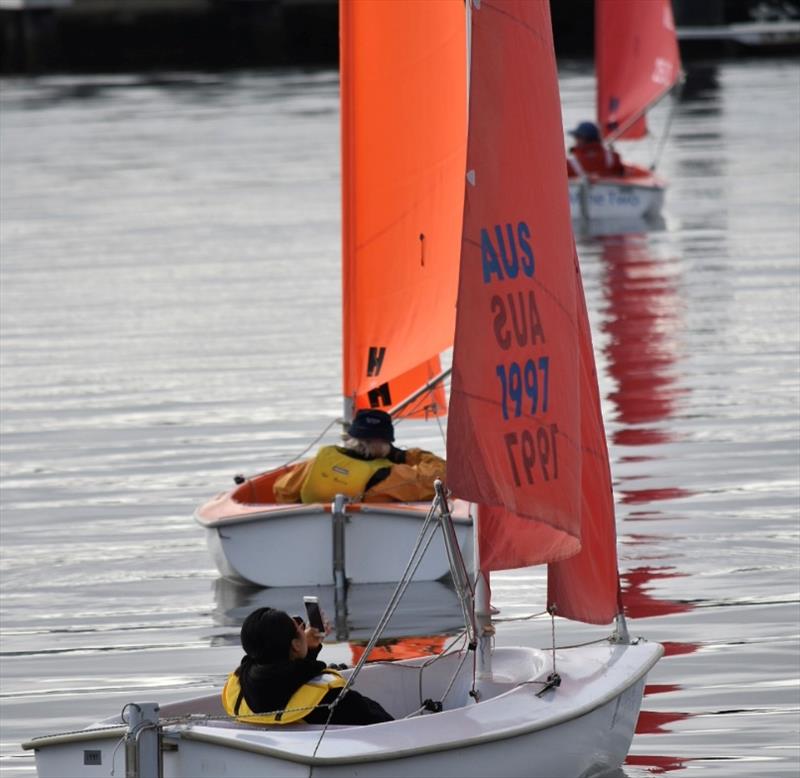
(525, 442)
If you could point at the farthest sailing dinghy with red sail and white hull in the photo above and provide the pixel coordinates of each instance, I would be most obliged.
(637, 63)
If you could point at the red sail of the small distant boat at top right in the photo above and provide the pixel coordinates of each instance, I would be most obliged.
(637, 62)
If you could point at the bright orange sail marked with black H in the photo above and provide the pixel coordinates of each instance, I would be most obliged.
(403, 98)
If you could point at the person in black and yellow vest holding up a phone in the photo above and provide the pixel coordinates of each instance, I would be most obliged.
(280, 680)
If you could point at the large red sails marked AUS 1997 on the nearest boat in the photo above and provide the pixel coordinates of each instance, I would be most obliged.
(525, 436)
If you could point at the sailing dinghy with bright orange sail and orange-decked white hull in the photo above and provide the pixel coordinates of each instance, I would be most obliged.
(403, 131)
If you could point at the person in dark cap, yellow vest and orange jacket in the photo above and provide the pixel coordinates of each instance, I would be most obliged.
(367, 466)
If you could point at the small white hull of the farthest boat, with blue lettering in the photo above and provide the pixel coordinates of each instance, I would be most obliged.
(616, 197)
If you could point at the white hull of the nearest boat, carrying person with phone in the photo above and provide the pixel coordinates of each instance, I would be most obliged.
(584, 727)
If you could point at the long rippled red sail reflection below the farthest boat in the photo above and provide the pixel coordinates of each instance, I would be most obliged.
(643, 322)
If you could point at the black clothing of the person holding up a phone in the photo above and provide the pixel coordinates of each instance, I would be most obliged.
(268, 687)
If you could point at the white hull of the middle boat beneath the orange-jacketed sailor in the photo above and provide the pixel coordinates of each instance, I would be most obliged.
(293, 545)
